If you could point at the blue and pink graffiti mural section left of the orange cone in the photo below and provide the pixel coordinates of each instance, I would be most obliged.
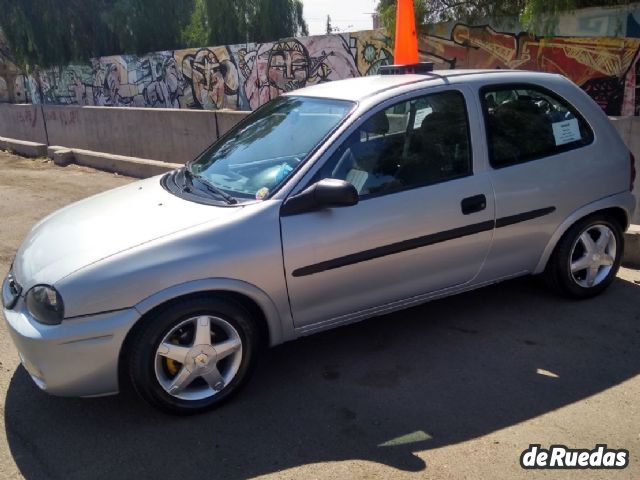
(241, 77)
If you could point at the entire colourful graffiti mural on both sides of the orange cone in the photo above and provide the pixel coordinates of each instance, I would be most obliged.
(243, 77)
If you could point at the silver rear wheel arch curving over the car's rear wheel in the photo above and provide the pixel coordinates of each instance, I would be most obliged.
(619, 207)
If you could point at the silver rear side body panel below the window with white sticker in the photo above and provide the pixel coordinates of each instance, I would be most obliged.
(547, 186)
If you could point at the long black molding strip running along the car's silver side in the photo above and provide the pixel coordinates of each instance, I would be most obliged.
(420, 242)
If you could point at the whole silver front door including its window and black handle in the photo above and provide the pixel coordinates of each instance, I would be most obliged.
(423, 223)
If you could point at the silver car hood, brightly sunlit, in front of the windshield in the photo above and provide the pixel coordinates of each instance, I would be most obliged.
(104, 225)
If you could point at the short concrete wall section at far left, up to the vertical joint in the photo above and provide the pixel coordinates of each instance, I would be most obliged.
(22, 122)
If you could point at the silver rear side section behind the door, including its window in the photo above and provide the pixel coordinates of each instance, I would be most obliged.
(545, 165)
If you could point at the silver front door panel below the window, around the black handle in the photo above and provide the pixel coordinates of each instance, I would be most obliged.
(384, 249)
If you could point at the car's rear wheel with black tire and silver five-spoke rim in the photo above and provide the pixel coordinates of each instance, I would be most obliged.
(564, 272)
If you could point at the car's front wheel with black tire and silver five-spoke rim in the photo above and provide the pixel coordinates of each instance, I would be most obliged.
(208, 375)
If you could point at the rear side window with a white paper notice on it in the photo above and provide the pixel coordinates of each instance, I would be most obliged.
(526, 122)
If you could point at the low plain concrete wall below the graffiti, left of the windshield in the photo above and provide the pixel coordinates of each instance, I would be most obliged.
(168, 135)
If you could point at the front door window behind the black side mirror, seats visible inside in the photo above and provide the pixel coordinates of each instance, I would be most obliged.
(415, 143)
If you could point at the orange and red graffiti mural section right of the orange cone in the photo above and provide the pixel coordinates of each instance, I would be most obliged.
(605, 67)
